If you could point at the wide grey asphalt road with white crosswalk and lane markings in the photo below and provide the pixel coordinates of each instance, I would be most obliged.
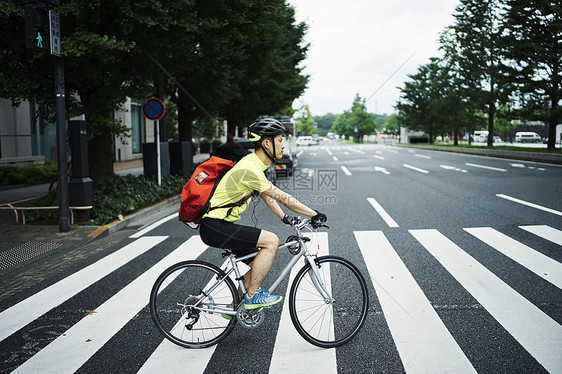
(462, 256)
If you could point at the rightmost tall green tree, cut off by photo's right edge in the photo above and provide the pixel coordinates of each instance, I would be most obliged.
(533, 30)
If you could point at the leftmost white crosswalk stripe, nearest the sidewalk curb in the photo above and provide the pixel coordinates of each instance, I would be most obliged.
(24, 312)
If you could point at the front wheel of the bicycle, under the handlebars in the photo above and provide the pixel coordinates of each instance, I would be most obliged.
(329, 322)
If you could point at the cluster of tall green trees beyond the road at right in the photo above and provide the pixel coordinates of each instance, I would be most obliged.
(501, 60)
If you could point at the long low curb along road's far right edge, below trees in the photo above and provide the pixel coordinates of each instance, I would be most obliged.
(547, 158)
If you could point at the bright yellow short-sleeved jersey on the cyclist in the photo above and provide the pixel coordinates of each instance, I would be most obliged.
(242, 180)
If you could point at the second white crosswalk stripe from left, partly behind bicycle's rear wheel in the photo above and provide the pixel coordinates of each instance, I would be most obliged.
(86, 337)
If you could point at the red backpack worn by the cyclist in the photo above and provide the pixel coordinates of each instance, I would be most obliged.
(197, 192)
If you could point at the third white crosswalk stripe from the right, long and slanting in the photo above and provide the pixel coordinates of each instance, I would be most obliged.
(539, 334)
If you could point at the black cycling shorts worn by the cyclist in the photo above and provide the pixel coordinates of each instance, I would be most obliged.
(242, 240)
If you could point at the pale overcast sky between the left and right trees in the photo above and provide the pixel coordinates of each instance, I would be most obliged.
(356, 45)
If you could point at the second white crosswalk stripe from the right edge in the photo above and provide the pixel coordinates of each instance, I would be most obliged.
(542, 265)
